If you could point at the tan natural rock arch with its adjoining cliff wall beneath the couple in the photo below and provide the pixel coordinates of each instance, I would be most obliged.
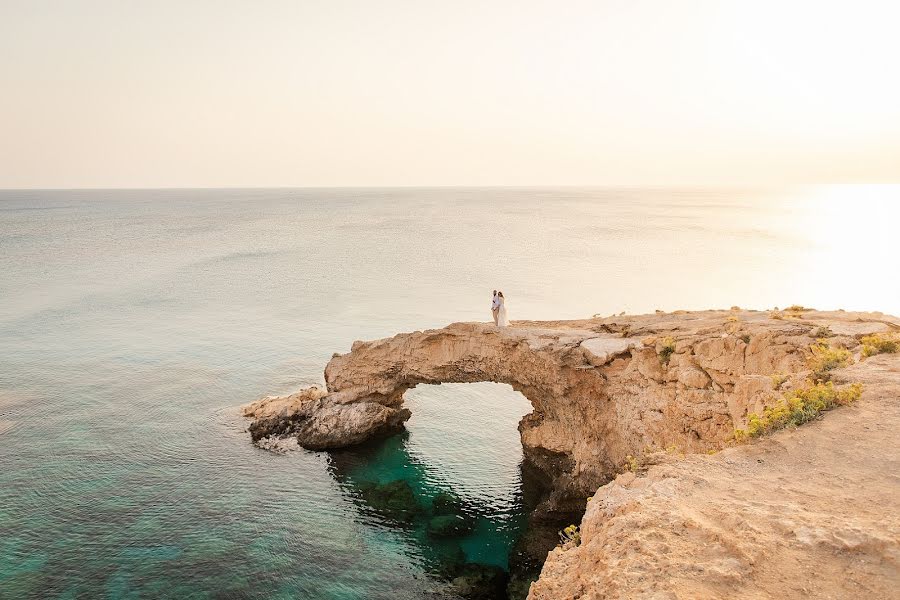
(601, 388)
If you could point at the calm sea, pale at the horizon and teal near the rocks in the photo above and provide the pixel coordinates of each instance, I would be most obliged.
(133, 323)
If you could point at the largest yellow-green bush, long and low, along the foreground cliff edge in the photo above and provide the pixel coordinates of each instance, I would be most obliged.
(798, 407)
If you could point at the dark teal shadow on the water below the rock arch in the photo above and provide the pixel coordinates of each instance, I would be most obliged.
(480, 552)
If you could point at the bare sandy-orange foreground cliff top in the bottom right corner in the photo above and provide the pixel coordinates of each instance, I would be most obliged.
(806, 513)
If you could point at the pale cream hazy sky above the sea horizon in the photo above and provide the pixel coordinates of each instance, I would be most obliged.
(118, 93)
